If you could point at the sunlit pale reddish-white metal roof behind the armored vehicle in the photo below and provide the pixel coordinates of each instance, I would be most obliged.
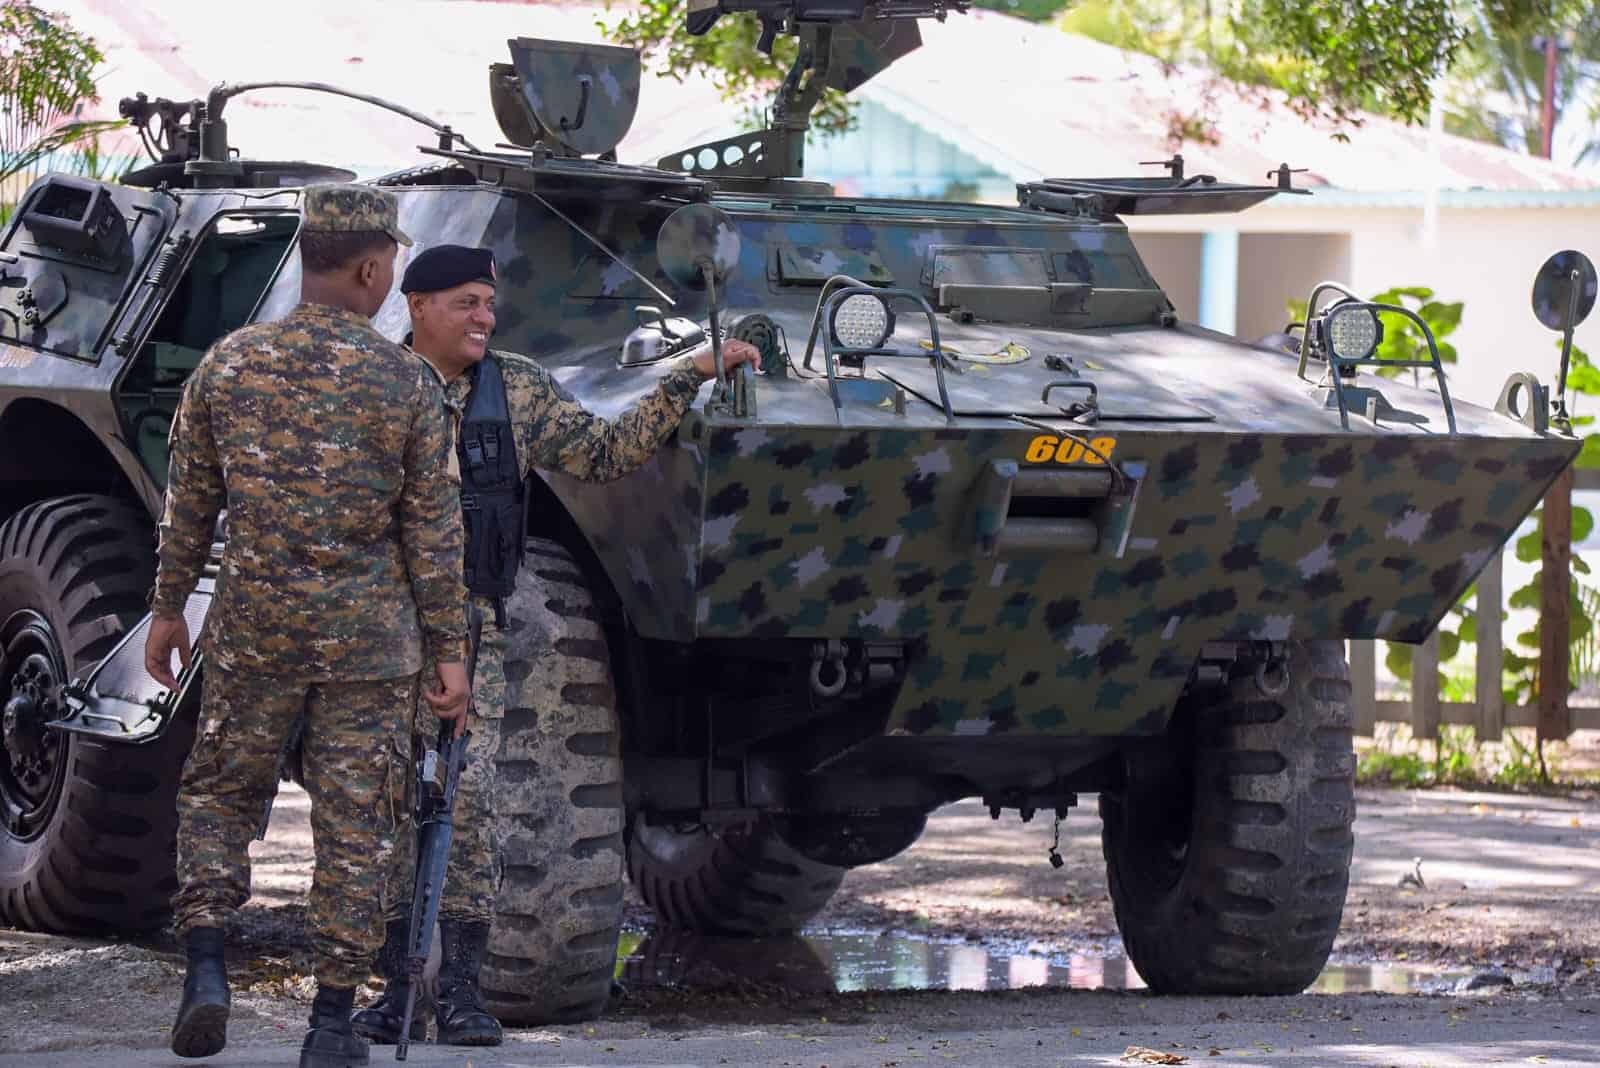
(1025, 98)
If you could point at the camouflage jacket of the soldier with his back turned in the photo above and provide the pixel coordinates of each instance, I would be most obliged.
(329, 448)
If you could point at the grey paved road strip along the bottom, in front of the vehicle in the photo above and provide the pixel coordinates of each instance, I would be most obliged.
(1409, 1032)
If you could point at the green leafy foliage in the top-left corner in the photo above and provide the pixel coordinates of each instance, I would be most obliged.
(46, 81)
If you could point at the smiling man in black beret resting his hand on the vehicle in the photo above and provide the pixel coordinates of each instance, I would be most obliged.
(450, 295)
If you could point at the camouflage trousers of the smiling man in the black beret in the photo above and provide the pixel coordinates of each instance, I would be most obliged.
(473, 875)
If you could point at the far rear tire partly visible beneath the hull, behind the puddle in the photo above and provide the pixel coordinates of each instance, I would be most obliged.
(737, 882)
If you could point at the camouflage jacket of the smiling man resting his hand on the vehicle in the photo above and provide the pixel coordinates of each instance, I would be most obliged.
(554, 431)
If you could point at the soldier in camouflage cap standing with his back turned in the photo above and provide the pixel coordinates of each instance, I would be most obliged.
(329, 448)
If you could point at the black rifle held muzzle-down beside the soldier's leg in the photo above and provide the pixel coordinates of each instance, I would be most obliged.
(434, 810)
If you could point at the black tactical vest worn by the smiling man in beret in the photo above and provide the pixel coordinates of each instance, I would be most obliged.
(494, 495)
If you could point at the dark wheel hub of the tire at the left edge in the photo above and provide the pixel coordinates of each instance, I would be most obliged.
(30, 683)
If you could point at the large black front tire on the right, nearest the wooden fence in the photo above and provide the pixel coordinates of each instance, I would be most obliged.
(1228, 869)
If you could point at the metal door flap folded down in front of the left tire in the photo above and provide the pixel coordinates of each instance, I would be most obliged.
(119, 701)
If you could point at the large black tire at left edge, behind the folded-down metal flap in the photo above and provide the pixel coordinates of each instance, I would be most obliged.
(89, 827)
